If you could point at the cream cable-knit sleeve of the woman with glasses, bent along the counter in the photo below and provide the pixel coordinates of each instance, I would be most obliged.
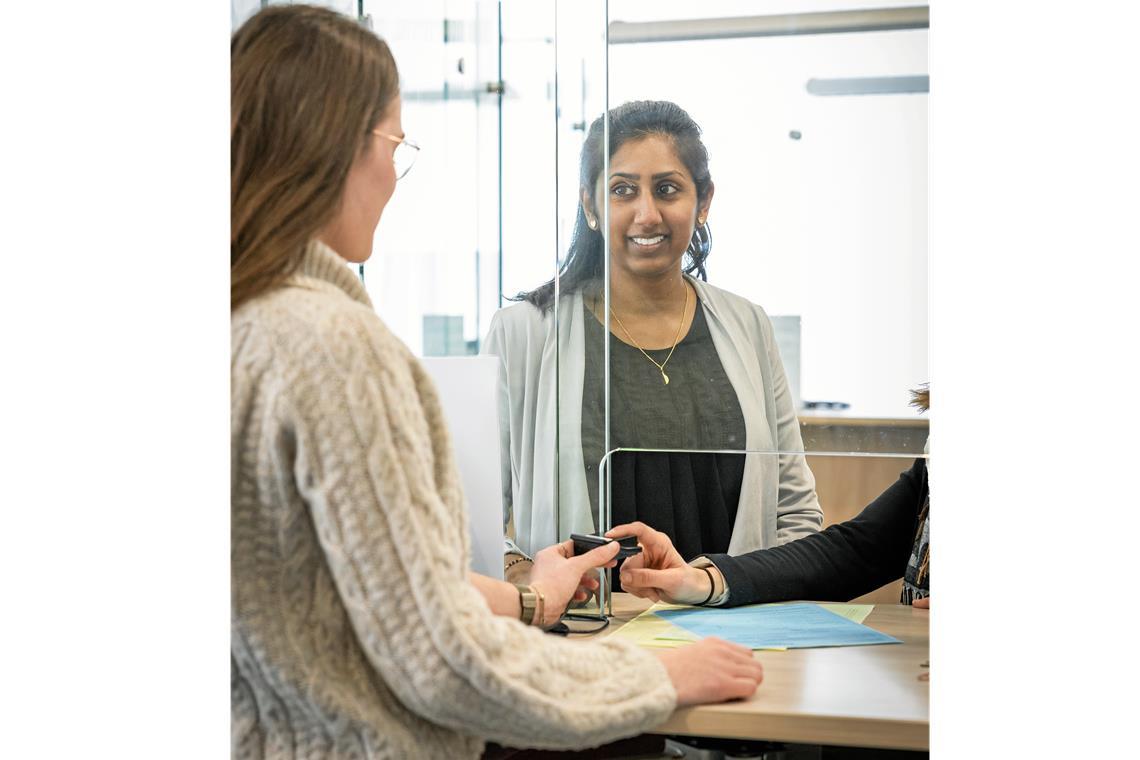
(376, 471)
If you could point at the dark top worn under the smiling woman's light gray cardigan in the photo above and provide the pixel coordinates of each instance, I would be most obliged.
(690, 497)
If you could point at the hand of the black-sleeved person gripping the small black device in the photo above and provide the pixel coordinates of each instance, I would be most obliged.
(659, 574)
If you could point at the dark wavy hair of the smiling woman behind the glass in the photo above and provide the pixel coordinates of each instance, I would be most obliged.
(631, 121)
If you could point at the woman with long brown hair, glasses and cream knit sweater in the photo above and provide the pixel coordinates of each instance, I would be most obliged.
(357, 628)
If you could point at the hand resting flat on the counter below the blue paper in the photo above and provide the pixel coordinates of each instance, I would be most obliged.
(712, 671)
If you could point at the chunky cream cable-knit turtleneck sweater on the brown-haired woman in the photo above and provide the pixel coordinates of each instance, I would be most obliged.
(354, 630)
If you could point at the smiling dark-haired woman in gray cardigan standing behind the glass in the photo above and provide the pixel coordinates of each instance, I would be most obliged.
(693, 367)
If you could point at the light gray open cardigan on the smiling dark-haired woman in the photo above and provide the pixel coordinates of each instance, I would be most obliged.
(778, 501)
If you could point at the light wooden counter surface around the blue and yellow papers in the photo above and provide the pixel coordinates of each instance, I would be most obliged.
(851, 697)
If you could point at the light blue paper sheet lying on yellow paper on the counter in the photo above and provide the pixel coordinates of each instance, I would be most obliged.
(764, 626)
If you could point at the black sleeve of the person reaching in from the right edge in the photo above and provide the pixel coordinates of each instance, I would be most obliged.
(840, 563)
